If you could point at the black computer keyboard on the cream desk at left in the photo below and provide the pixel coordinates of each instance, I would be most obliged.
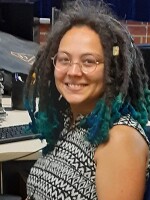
(16, 133)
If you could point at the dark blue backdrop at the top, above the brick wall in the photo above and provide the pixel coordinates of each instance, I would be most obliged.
(126, 9)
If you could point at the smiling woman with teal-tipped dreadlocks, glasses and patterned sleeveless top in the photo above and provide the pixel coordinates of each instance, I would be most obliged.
(93, 110)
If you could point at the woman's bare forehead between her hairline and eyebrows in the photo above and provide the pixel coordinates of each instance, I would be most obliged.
(81, 39)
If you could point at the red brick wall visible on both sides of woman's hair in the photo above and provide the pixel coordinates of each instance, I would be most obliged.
(139, 30)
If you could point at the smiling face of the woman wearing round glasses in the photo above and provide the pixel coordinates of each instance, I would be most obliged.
(81, 90)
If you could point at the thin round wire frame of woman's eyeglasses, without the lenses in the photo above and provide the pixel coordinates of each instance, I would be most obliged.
(71, 63)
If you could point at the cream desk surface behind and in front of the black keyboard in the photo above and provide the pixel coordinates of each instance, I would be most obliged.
(29, 149)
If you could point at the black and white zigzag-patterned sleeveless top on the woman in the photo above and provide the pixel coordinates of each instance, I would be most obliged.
(68, 172)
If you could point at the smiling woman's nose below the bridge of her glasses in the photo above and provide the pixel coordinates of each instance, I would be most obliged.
(75, 69)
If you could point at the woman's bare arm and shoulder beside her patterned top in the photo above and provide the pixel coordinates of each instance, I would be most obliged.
(121, 165)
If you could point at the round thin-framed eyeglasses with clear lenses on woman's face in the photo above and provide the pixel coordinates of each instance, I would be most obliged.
(62, 62)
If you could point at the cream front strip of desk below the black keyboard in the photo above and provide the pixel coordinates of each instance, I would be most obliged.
(24, 150)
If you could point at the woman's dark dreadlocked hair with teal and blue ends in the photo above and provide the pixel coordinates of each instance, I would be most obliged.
(126, 80)
